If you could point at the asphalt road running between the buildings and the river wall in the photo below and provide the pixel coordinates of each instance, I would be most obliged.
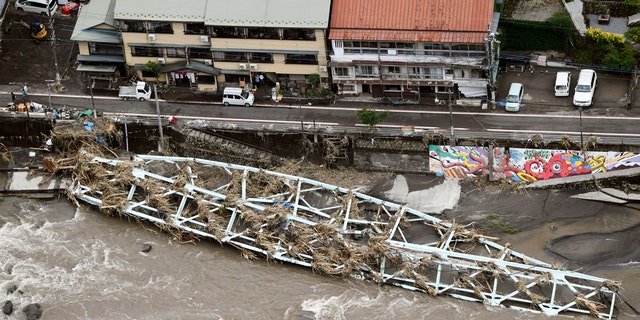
(468, 122)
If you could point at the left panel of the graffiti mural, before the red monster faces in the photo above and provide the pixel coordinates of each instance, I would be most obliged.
(458, 161)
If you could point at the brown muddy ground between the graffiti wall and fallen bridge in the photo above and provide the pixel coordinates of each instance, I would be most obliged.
(592, 237)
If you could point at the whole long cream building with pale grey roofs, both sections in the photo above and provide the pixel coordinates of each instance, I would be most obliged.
(209, 44)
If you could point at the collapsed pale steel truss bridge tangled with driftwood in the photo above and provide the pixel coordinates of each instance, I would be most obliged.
(334, 230)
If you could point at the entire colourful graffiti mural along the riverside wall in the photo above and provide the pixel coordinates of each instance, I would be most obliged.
(524, 164)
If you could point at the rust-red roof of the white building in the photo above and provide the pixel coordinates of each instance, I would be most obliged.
(465, 21)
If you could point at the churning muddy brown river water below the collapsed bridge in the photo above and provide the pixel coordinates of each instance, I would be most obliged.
(80, 264)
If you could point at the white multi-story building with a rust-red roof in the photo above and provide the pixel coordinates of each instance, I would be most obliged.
(410, 48)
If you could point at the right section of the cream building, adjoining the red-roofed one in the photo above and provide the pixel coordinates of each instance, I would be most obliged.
(284, 40)
